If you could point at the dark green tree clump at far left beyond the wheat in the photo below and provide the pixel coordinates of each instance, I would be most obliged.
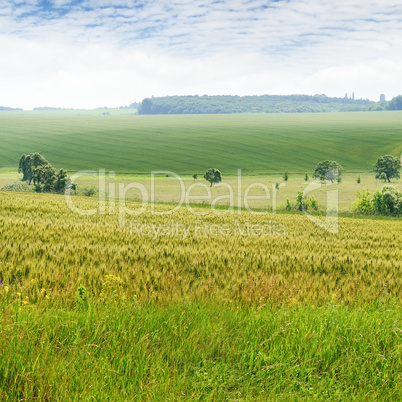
(35, 168)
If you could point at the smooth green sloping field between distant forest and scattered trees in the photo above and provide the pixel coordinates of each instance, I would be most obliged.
(257, 143)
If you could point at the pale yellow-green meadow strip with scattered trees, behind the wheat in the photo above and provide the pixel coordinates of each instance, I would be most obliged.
(167, 189)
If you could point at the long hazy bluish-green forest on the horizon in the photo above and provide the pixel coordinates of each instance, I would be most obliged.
(255, 104)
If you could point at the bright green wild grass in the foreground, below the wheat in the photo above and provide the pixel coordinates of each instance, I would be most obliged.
(198, 351)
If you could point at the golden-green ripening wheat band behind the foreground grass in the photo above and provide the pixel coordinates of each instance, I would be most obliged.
(47, 252)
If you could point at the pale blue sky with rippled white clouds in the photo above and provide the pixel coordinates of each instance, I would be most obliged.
(94, 53)
